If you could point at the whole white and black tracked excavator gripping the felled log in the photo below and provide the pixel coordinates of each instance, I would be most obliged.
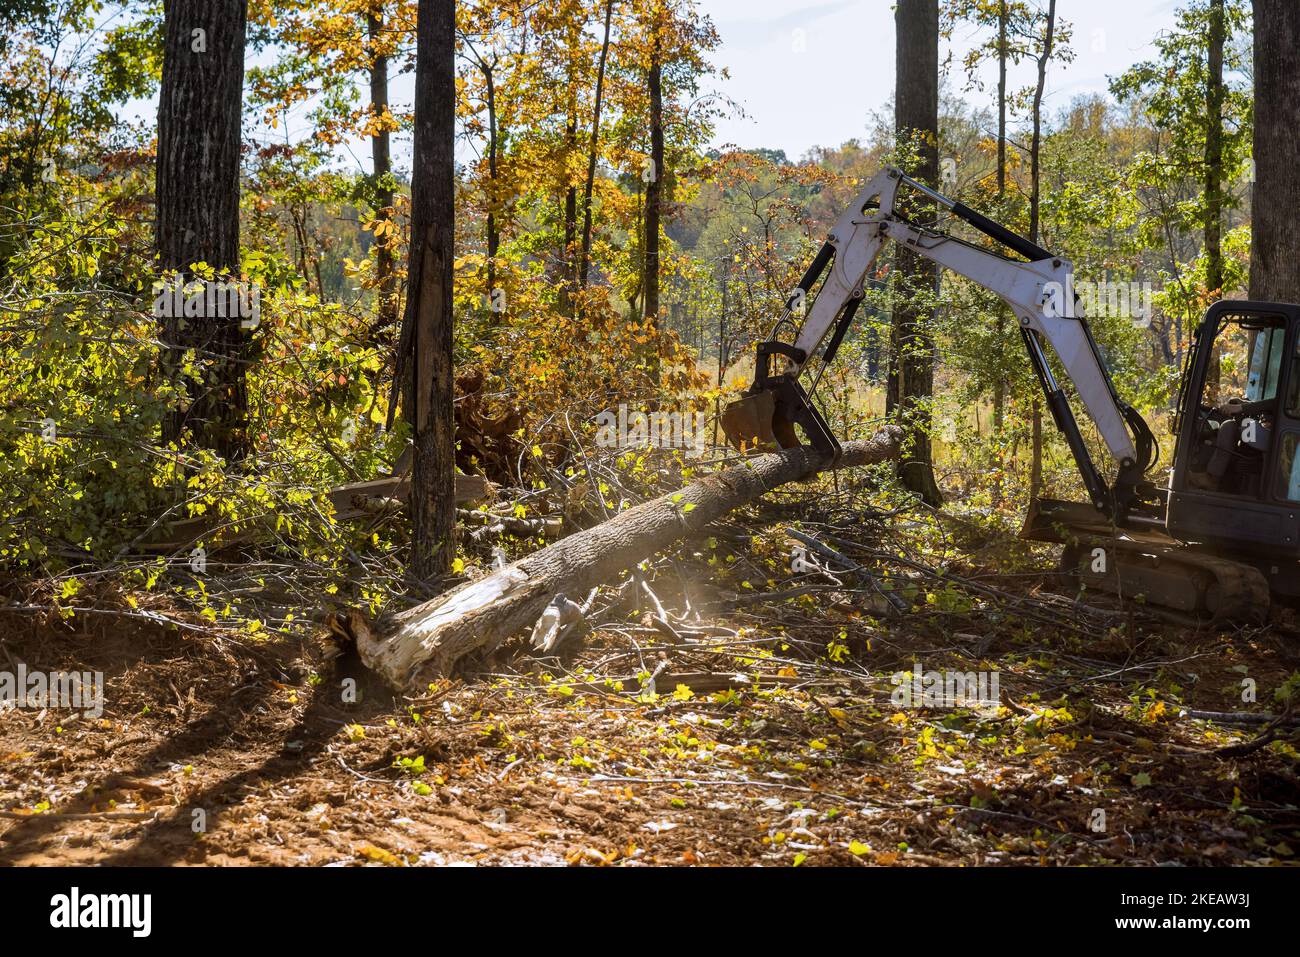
(1219, 543)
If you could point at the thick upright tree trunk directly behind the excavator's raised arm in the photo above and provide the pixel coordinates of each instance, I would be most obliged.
(912, 376)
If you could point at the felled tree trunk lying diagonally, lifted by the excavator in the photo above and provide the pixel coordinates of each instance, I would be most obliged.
(419, 644)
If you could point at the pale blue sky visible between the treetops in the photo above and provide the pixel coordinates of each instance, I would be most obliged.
(811, 72)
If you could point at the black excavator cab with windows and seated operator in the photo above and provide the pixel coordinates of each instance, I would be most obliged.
(1236, 487)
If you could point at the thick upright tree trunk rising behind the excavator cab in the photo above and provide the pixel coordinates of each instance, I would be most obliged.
(1276, 223)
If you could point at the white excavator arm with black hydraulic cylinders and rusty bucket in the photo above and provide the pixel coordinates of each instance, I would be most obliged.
(1038, 291)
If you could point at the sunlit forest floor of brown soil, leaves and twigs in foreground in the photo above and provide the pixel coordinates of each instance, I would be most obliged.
(773, 741)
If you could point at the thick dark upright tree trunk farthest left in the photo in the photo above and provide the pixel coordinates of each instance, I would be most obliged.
(198, 211)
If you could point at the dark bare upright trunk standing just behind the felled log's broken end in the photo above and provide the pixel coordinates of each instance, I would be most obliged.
(428, 311)
